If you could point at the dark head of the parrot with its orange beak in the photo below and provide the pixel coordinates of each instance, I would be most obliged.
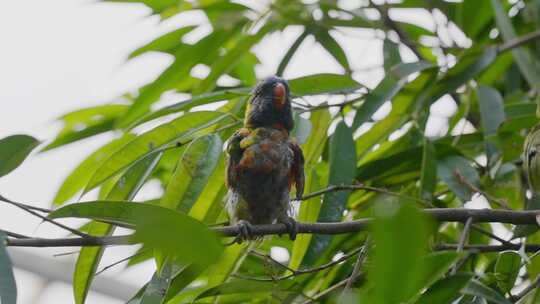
(270, 105)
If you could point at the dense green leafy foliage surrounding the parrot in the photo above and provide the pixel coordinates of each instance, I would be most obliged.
(469, 59)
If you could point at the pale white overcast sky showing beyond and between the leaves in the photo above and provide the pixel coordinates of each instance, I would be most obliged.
(60, 55)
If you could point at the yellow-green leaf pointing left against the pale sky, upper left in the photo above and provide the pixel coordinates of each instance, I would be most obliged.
(85, 123)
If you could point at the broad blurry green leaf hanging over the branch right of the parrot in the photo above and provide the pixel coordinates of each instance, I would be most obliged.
(400, 232)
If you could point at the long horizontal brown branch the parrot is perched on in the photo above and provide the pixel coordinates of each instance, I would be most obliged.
(439, 214)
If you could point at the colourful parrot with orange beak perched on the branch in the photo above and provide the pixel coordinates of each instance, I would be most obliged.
(264, 162)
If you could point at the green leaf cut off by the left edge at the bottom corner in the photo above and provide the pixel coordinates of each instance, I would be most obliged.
(8, 288)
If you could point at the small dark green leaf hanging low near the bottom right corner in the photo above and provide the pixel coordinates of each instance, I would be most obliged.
(507, 269)
